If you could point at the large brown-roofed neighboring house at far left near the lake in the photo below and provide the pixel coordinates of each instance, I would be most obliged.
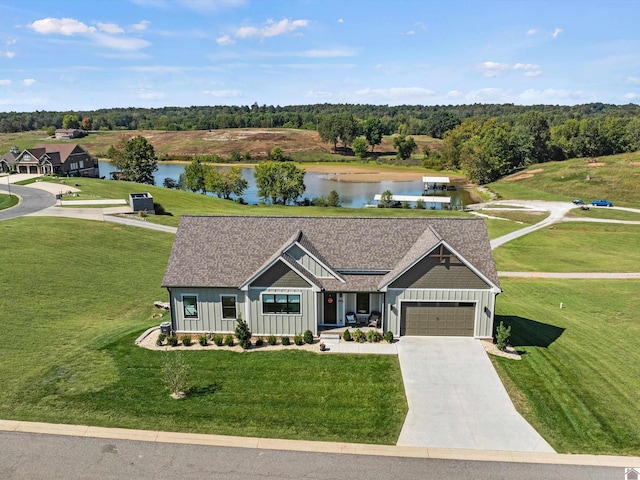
(68, 160)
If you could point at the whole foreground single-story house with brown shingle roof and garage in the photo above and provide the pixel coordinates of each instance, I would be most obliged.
(284, 275)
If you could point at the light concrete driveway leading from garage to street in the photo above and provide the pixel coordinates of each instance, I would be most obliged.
(456, 399)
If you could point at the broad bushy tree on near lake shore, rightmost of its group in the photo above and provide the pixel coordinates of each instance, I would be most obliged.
(279, 182)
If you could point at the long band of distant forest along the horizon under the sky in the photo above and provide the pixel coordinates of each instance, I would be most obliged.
(408, 119)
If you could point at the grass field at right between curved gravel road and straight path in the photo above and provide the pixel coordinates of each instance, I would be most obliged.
(573, 247)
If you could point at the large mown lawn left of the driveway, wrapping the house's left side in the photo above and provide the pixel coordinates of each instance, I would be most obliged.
(72, 358)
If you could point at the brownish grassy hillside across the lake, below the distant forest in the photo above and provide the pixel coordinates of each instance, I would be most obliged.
(303, 145)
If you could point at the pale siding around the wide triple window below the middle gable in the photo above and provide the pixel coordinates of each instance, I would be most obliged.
(282, 324)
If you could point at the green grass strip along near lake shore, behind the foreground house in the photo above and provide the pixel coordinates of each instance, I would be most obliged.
(178, 202)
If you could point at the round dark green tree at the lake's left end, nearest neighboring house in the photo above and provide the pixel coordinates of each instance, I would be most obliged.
(136, 159)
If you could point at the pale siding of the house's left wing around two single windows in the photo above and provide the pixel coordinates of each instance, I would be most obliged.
(209, 310)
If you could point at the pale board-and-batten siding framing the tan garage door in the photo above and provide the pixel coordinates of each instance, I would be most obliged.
(484, 300)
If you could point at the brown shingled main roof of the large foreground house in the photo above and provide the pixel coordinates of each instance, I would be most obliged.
(227, 251)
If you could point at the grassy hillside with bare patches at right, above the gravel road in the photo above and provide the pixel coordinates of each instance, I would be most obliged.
(615, 178)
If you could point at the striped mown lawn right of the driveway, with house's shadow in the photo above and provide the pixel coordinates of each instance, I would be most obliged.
(579, 378)
